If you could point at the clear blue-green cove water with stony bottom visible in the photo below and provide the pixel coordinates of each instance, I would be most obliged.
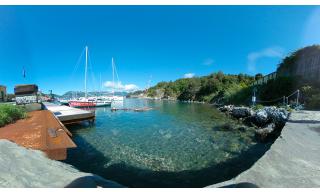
(175, 145)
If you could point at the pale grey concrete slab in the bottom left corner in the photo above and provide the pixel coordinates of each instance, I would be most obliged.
(21, 167)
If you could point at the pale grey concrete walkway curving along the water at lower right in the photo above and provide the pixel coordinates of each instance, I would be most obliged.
(293, 159)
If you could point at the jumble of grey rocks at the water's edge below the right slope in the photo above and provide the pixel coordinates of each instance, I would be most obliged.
(267, 121)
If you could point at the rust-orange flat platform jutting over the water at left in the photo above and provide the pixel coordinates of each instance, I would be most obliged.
(40, 131)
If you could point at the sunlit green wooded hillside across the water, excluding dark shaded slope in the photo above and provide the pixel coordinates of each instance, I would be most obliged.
(214, 88)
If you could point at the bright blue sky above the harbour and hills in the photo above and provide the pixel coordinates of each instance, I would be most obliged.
(157, 43)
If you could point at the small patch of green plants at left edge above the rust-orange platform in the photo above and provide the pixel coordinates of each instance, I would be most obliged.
(11, 113)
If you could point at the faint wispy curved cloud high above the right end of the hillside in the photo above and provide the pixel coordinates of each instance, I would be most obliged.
(271, 52)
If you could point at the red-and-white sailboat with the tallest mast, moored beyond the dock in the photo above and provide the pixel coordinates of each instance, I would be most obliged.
(85, 101)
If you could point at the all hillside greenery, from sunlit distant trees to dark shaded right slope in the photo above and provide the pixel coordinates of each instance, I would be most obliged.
(220, 88)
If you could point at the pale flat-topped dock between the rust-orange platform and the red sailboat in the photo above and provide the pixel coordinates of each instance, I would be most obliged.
(69, 115)
